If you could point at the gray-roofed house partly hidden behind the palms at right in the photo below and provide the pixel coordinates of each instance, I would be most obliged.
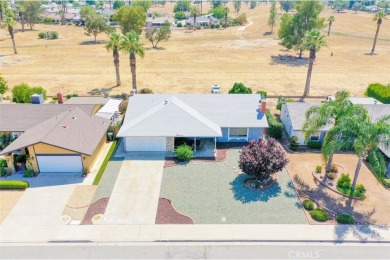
(293, 116)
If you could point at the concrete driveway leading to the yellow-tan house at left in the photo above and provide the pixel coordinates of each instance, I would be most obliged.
(44, 201)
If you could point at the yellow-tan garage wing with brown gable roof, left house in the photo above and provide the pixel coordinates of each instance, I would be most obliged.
(66, 142)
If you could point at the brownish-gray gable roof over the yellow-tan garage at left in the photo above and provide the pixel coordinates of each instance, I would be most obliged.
(73, 130)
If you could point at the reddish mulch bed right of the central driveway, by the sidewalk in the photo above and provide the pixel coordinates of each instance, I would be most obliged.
(166, 214)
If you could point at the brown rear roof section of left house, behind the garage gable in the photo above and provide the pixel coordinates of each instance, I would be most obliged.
(21, 117)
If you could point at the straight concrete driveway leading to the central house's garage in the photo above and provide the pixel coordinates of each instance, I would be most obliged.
(134, 198)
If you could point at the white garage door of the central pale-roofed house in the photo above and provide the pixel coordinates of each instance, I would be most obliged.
(152, 144)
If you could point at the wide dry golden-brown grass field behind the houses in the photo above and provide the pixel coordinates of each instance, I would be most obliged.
(191, 61)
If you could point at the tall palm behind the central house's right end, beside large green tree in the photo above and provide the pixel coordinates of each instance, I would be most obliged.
(313, 42)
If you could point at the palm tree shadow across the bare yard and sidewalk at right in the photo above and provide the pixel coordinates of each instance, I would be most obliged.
(345, 205)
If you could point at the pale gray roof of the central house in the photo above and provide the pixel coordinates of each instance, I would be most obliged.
(190, 114)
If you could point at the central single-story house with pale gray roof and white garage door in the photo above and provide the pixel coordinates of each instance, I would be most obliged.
(153, 121)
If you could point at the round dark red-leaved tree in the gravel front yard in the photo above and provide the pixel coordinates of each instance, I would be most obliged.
(262, 158)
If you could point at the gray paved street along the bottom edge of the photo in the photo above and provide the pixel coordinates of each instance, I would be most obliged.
(197, 251)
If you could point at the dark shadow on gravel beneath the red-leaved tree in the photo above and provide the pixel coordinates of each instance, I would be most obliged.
(245, 195)
